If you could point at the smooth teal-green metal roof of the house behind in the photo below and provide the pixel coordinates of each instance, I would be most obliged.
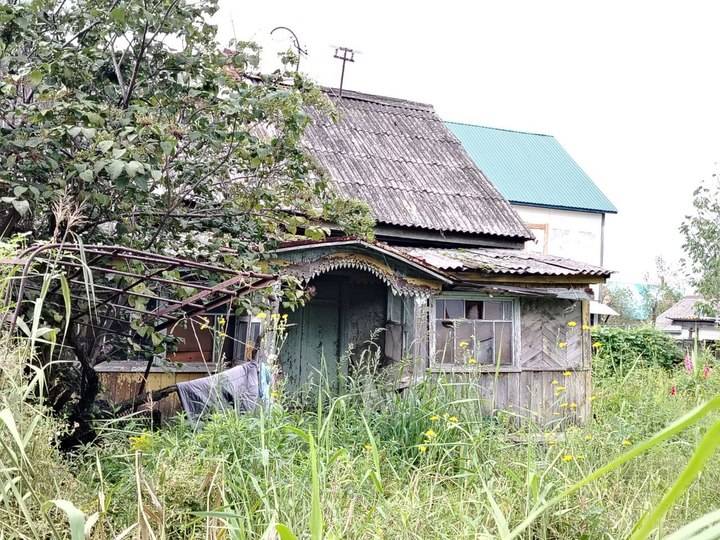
(530, 168)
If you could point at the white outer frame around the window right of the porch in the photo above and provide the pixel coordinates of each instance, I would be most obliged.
(513, 366)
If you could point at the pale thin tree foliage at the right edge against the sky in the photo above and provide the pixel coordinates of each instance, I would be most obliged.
(702, 244)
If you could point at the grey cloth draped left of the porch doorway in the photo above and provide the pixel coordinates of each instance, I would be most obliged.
(234, 389)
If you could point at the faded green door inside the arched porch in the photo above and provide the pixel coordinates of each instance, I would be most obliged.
(312, 345)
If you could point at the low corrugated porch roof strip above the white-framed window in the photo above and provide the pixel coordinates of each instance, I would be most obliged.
(502, 261)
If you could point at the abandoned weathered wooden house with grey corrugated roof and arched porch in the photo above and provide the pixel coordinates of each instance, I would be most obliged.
(445, 289)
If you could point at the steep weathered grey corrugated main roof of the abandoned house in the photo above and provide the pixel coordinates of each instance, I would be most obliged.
(401, 159)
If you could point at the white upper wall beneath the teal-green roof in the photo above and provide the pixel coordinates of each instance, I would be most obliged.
(565, 233)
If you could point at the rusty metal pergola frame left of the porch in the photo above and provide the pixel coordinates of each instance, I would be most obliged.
(205, 287)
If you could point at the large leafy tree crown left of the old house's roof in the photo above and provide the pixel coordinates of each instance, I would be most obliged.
(162, 139)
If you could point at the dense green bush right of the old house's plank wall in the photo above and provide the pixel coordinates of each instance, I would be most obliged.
(618, 349)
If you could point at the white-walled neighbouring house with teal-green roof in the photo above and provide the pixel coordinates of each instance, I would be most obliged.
(555, 198)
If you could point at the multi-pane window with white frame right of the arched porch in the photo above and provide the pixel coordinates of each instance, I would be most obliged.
(474, 332)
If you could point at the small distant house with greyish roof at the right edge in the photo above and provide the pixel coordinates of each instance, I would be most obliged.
(684, 322)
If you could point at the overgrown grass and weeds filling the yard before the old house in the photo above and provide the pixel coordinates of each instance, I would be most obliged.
(366, 465)
